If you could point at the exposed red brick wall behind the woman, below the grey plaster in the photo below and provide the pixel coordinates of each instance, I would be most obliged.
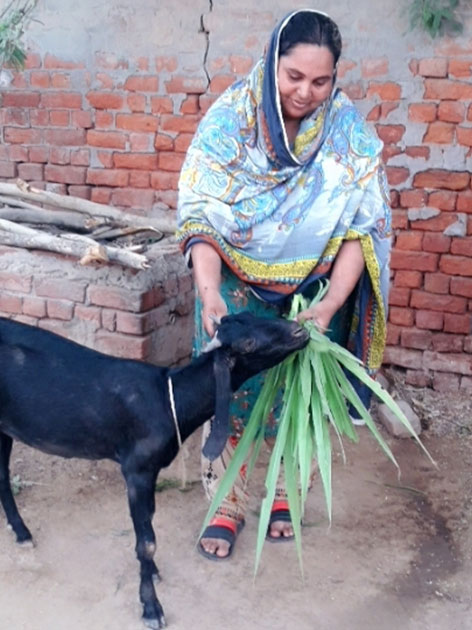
(116, 130)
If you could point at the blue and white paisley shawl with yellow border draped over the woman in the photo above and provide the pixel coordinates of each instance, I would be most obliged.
(277, 214)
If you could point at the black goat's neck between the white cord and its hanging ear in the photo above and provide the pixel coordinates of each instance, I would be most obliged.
(194, 393)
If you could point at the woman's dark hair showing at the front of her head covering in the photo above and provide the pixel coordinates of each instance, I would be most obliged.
(309, 27)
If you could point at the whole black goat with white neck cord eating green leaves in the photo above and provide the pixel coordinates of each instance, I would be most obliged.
(68, 400)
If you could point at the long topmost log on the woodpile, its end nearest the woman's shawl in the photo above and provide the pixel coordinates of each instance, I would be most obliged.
(24, 191)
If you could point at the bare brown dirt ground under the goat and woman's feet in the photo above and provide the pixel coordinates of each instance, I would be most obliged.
(398, 553)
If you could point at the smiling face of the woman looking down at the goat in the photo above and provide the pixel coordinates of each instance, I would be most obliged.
(305, 77)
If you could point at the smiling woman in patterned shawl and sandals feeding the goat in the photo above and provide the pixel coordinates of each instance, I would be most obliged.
(283, 184)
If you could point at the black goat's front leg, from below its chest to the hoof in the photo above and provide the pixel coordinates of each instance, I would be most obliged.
(141, 488)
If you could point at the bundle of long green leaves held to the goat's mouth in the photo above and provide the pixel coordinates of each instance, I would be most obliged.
(316, 396)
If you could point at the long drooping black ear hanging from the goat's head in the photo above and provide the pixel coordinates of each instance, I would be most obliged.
(220, 424)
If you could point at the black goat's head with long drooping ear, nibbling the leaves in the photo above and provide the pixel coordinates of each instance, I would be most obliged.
(244, 346)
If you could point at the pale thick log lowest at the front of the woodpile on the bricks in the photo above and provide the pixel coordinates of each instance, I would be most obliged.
(75, 245)
